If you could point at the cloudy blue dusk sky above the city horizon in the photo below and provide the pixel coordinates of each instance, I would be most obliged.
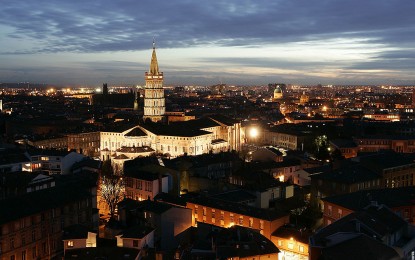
(71, 42)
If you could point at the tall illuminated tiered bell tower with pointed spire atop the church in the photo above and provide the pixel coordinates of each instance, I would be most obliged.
(154, 103)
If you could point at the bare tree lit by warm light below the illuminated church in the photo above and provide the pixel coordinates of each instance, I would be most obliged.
(112, 188)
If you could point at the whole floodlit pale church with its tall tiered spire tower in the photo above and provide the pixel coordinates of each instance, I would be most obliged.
(213, 133)
